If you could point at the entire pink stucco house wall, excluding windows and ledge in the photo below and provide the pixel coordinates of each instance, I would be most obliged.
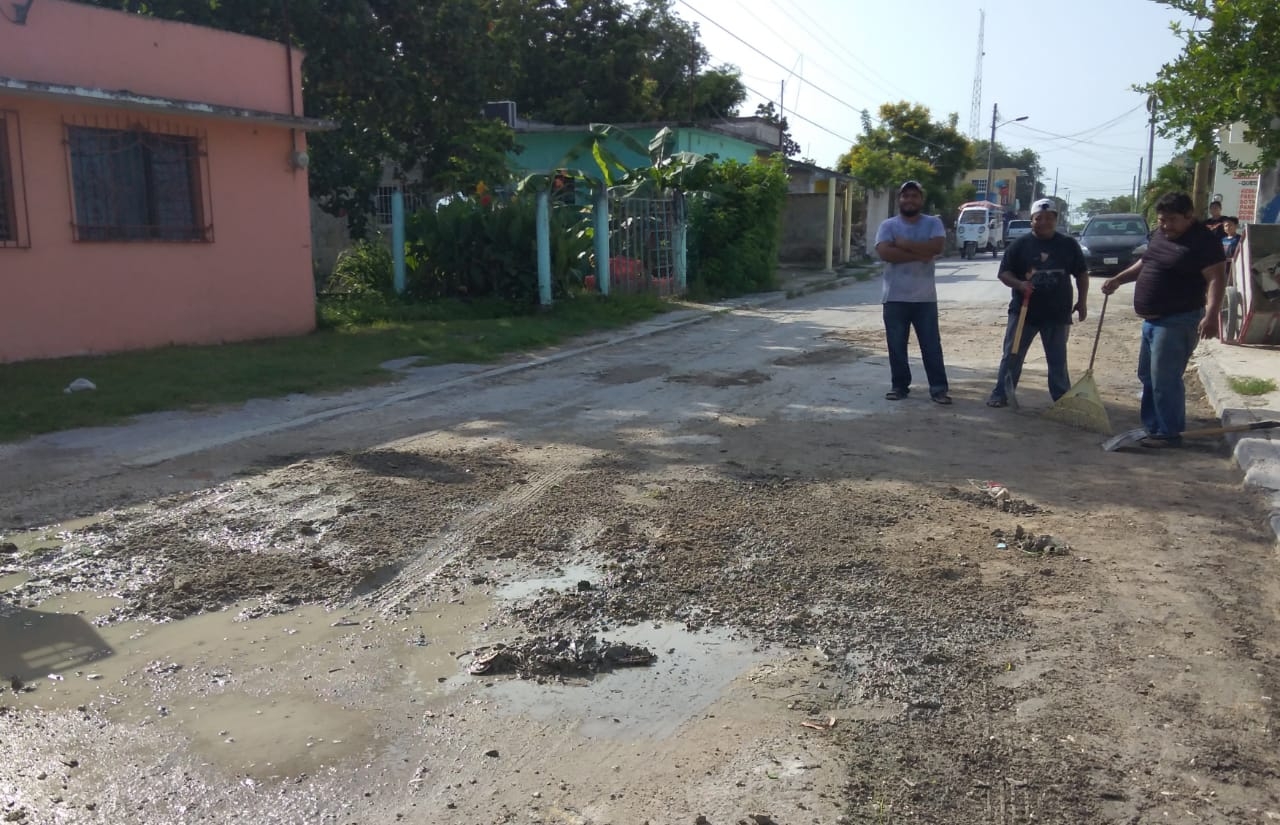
(65, 297)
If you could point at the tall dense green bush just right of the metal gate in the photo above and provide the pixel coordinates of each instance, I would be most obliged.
(735, 232)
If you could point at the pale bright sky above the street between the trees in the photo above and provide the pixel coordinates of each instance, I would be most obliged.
(1068, 66)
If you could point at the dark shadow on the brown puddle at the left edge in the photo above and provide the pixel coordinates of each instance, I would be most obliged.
(35, 644)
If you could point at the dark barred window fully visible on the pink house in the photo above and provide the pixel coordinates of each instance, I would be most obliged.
(132, 185)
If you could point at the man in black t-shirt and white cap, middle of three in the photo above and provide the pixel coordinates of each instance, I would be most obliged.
(1043, 267)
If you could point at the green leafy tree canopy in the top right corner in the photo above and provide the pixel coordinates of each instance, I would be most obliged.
(1229, 72)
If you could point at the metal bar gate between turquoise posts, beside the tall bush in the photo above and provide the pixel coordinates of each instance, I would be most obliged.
(648, 245)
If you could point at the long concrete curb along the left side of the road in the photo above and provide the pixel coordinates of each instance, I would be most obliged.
(694, 317)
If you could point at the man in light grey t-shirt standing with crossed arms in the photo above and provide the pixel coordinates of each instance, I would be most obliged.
(908, 244)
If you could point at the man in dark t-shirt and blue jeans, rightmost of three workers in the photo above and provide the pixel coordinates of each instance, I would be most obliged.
(1180, 296)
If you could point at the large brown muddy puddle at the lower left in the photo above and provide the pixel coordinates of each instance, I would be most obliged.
(268, 698)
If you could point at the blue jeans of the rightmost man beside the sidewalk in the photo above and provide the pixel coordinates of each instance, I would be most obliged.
(1168, 345)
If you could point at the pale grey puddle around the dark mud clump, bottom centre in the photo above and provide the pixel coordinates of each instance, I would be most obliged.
(692, 673)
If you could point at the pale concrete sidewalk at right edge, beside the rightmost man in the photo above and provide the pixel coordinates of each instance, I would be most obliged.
(1258, 453)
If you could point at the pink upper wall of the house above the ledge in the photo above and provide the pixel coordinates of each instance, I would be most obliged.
(74, 44)
